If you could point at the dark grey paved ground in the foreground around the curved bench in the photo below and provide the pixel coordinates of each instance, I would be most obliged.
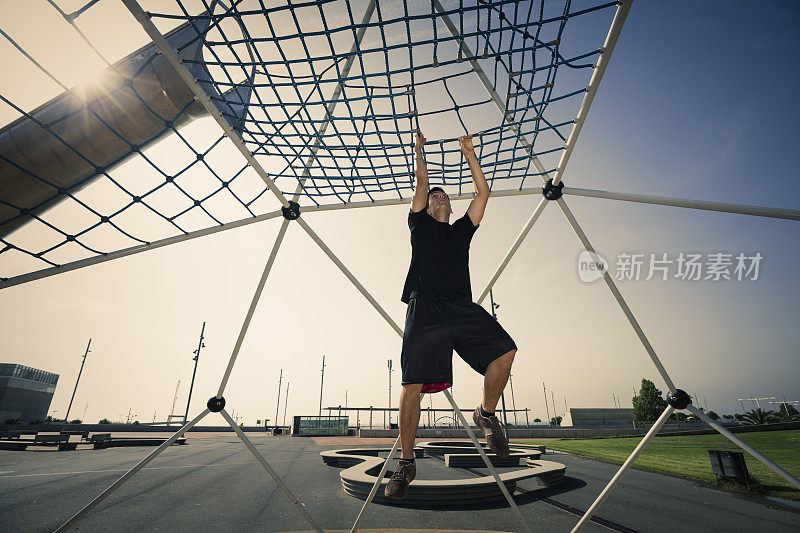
(214, 483)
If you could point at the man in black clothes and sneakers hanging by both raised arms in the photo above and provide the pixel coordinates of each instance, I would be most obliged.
(441, 315)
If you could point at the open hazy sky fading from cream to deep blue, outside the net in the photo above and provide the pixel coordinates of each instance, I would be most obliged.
(697, 102)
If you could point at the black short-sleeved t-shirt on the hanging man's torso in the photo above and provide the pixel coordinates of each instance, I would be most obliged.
(439, 257)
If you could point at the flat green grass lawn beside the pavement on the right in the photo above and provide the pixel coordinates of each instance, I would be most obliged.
(687, 456)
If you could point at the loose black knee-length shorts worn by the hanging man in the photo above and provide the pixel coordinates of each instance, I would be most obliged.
(435, 326)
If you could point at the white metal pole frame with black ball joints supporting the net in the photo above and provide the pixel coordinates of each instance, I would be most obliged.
(614, 32)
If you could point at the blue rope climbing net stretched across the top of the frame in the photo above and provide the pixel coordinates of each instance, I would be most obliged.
(132, 157)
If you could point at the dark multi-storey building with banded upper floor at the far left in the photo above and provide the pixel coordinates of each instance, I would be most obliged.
(25, 392)
